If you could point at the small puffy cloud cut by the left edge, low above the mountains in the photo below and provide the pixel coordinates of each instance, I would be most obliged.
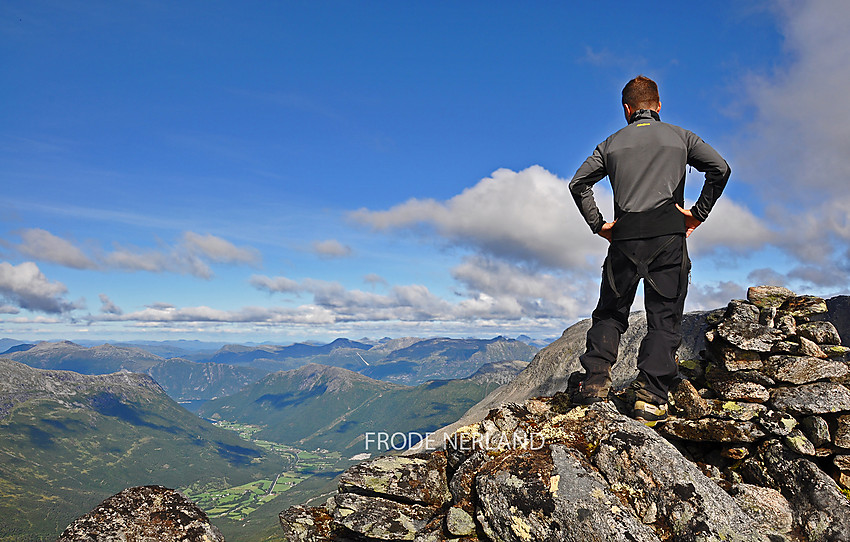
(25, 286)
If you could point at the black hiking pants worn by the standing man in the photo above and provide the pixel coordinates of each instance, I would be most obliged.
(665, 277)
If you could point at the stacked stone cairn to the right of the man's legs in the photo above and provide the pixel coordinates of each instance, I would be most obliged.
(774, 371)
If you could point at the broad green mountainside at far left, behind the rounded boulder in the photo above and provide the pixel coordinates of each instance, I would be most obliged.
(67, 441)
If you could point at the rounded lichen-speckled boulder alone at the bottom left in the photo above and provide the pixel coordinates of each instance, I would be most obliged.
(144, 513)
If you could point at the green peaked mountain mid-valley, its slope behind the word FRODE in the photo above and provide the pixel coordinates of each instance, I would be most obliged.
(316, 406)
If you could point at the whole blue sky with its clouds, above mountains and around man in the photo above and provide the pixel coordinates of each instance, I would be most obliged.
(281, 171)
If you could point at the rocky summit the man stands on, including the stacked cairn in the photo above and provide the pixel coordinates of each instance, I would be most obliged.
(757, 449)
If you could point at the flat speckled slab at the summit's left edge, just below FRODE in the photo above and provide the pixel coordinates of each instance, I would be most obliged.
(419, 479)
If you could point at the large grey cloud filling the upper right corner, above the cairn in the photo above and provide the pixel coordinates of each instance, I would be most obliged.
(794, 151)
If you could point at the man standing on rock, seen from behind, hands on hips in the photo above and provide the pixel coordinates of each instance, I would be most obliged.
(645, 163)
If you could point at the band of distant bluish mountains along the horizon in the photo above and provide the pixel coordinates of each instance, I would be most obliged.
(208, 375)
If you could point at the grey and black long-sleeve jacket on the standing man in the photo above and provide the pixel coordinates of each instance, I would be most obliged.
(645, 162)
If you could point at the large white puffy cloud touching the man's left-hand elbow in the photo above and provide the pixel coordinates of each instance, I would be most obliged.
(526, 216)
